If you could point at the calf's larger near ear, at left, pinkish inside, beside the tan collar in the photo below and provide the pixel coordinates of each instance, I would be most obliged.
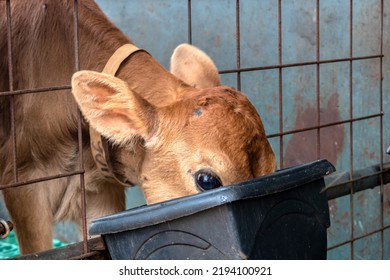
(114, 110)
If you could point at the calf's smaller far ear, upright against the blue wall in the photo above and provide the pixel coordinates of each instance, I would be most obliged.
(194, 67)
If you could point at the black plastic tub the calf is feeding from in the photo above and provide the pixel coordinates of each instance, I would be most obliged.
(284, 215)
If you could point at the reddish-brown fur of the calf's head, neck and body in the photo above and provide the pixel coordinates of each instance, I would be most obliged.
(147, 113)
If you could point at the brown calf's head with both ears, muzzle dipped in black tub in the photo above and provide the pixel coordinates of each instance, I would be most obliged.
(207, 138)
